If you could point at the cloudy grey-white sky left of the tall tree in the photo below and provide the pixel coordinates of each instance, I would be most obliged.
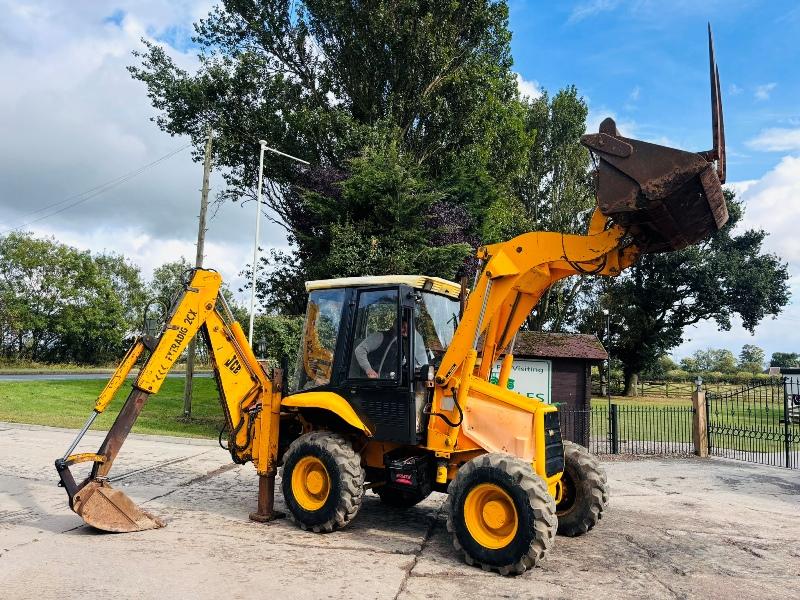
(72, 118)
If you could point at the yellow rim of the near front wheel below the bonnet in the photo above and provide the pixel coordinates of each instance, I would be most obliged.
(491, 516)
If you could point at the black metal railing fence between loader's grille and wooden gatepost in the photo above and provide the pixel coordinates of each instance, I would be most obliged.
(623, 429)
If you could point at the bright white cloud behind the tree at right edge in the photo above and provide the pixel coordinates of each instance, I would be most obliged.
(771, 204)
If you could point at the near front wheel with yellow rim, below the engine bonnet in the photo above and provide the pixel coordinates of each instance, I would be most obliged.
(500, 514)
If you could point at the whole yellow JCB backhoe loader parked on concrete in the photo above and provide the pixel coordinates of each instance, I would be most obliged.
(392, 388)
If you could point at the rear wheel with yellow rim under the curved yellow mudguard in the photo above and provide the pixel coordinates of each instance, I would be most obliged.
(322, 481)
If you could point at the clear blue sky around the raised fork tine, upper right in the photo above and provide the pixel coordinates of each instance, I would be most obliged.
(646, 62)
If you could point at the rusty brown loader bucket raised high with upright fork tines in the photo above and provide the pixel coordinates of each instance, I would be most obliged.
(667, 198)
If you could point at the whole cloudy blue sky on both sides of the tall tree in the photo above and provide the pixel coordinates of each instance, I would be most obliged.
(72, 119)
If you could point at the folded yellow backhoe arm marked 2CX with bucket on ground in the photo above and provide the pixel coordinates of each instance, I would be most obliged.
(250, 403)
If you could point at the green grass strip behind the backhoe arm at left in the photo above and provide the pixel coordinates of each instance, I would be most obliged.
(68, 403)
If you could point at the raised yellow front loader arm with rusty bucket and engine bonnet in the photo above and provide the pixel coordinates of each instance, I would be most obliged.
(650, 198)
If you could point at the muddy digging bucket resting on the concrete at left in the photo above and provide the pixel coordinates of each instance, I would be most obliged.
(107, 509)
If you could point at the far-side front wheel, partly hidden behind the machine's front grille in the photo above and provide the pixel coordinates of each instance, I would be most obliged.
(584, 491)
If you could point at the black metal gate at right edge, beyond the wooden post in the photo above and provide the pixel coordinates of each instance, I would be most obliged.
(759, 423)
